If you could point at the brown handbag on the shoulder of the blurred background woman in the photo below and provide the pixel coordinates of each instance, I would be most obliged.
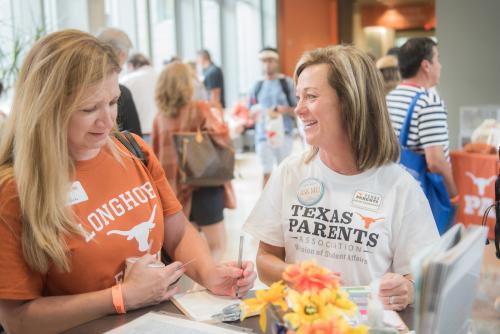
(202, 160)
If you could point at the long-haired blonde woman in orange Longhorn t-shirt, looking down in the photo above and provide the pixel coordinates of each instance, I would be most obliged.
(75, 203)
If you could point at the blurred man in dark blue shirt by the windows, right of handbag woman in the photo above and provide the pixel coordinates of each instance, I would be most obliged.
(213, 79)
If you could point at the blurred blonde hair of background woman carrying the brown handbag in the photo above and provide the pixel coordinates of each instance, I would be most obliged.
(174, 88)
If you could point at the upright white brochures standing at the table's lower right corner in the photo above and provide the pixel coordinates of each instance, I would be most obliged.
(446, 277)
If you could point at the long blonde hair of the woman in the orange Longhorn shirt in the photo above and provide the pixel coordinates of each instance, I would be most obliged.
(34, 149)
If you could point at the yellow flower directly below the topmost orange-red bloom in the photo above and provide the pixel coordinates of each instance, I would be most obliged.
(309, 307)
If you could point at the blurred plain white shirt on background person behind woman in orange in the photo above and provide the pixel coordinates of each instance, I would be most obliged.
(142, 84)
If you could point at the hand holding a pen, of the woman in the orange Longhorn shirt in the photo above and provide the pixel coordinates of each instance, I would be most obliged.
(228, 279)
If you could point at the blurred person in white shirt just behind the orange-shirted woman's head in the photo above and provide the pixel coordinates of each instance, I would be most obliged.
(141, 80)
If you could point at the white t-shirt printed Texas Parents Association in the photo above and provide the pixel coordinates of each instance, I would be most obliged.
(362, 226)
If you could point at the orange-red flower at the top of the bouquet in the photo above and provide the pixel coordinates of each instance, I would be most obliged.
(308, 276)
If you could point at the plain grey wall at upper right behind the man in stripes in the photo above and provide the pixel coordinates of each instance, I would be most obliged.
(469, 46)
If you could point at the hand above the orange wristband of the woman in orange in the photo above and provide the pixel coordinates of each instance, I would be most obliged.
(144, 285)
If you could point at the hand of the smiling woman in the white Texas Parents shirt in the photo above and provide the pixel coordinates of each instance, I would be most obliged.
(396, 291)
